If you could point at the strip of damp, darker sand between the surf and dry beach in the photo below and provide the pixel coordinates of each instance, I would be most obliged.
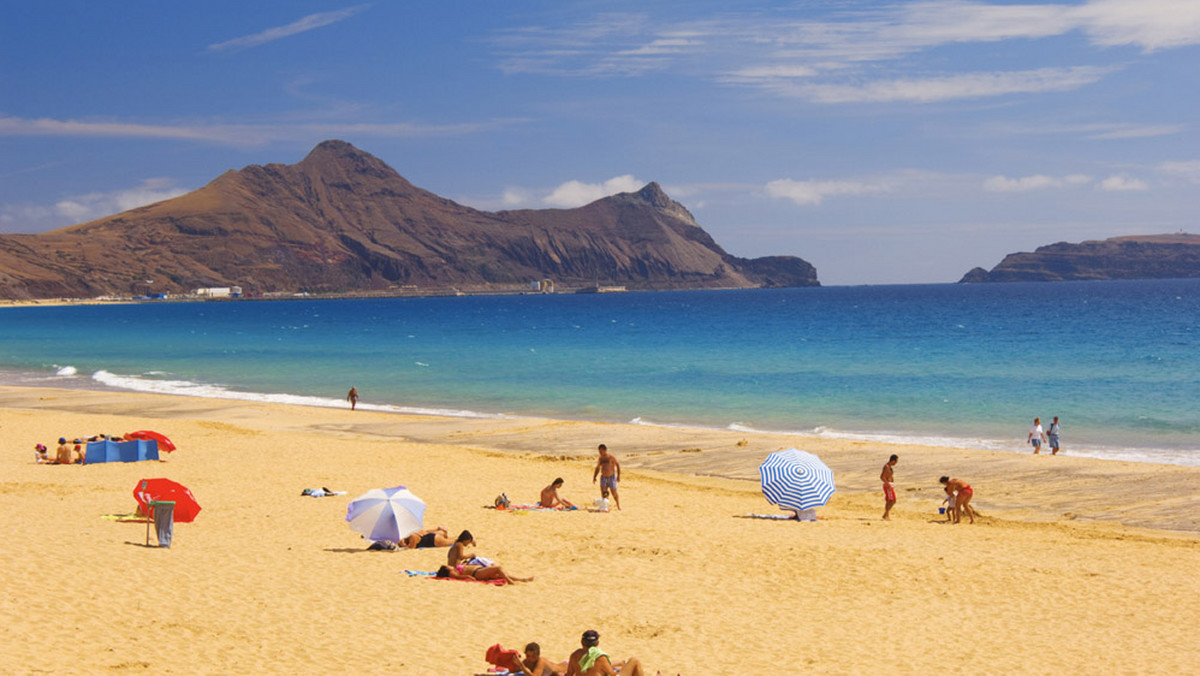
(1031, 488)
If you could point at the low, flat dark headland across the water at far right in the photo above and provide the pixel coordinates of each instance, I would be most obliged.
(1139, 258)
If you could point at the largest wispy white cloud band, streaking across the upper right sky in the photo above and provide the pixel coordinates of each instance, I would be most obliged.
(843, 51)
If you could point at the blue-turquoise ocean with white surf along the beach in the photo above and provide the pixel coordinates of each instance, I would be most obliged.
(939, 364)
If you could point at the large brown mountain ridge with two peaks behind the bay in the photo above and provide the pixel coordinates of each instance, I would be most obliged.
(344, 222)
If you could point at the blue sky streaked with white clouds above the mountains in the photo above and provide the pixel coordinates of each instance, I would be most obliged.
(883, 142)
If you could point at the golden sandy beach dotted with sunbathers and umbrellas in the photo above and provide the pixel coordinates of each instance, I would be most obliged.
(1077, 566)
